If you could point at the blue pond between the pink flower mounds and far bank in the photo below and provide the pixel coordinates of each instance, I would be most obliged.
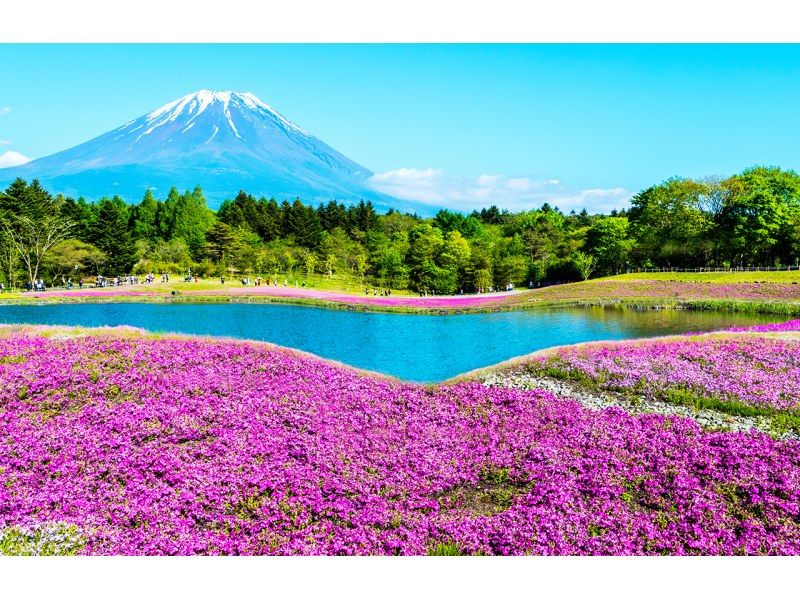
(413, 347)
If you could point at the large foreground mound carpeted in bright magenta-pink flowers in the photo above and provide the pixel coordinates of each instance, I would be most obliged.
(191, 446)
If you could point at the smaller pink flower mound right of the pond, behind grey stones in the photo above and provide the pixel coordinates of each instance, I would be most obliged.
(742, 368)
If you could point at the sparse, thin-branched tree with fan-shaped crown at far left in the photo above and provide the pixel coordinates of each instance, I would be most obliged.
(33, 237)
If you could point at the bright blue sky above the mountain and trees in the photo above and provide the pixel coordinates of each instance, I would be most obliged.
(462, 125)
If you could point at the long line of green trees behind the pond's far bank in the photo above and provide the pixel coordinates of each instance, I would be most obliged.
(752, 218)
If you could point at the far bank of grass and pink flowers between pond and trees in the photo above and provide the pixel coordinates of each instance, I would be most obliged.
(781, 298)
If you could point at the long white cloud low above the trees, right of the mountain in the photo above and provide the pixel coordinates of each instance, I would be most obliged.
(434, 187)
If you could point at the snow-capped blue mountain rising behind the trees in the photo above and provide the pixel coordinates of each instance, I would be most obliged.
(221, 140)
